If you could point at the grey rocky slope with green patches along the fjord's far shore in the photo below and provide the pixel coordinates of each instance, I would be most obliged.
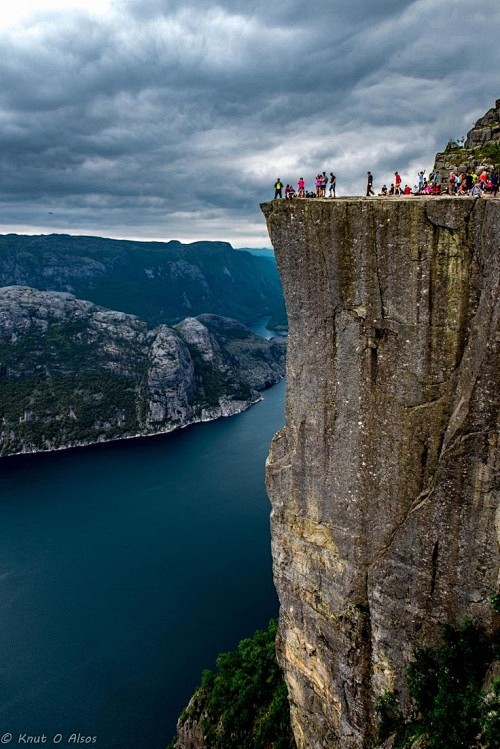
(74, 373)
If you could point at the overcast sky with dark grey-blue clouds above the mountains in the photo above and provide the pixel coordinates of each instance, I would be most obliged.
(171, 119)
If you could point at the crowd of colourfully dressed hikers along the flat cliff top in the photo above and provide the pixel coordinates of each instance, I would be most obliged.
(465, 183)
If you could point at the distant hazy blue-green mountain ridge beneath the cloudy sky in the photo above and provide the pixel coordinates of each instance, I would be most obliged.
(160, 282)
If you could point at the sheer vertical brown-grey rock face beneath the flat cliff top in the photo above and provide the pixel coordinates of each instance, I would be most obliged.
(384, 482)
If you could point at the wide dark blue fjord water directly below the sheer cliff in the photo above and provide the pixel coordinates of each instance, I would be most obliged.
(124, 570)
